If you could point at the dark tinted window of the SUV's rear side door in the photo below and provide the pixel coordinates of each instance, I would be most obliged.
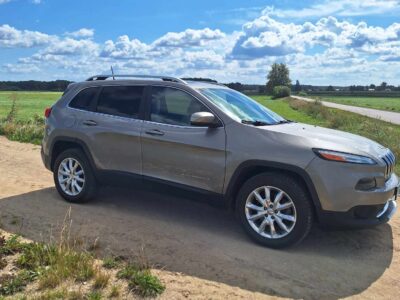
(121, 101)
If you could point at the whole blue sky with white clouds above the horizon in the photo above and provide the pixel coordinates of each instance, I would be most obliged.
(323, 42)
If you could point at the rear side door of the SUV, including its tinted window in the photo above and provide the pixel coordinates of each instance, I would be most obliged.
(112, 129)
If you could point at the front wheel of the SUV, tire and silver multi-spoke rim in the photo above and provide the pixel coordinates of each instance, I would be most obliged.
(294, 197)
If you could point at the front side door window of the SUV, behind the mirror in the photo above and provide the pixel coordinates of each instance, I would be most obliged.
(172, 106)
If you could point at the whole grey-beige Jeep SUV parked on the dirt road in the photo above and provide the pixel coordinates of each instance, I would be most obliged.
(277, 175)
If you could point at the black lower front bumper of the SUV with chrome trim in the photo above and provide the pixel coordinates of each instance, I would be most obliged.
(360, 216)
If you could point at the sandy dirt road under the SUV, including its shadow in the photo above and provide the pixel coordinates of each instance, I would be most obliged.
(201, 240)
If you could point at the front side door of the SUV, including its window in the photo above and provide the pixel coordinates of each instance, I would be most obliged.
(173, 149)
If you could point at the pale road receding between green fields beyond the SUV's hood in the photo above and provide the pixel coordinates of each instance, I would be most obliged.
(388, 116)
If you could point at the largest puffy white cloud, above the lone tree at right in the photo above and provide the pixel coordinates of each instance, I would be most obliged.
(266, 36)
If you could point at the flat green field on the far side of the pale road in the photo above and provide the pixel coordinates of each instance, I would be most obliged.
(390, 104)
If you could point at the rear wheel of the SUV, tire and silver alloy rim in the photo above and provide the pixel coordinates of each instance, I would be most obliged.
(87, 187)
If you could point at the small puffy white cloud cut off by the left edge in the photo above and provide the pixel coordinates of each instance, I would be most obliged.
(11, 37)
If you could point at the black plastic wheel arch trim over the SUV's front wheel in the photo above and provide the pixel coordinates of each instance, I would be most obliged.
(251, 168)
